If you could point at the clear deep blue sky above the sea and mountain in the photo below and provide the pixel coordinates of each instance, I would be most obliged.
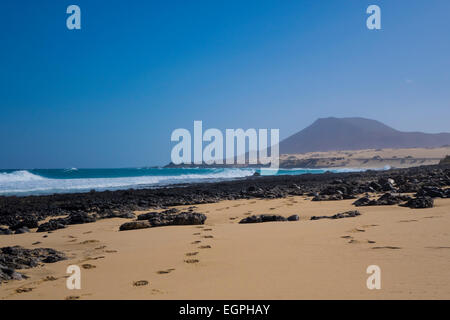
(110, 95)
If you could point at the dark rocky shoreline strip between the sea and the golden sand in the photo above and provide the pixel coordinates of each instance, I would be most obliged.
(20, 214)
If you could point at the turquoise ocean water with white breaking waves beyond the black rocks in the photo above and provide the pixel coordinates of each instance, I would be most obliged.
(49, 181)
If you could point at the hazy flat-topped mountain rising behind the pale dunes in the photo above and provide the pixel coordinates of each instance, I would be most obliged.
(331, 134)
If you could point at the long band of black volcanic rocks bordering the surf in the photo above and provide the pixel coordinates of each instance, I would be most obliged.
(40, 207)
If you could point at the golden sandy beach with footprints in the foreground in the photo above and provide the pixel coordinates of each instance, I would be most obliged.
(222, 259)
